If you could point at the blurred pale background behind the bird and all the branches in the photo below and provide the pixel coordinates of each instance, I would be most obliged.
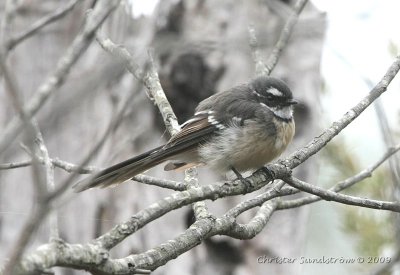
(338, 51)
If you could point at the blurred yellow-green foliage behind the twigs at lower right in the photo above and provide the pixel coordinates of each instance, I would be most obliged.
(372, 229)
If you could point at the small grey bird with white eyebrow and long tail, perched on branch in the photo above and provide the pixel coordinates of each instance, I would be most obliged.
(240, 129)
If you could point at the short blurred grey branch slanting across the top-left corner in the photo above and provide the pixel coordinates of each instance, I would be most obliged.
(41, 23)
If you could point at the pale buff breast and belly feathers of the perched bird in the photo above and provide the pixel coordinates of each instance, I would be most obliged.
(248, 147)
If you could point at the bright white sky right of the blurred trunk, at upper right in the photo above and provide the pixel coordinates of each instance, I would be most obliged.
(357, 45)
